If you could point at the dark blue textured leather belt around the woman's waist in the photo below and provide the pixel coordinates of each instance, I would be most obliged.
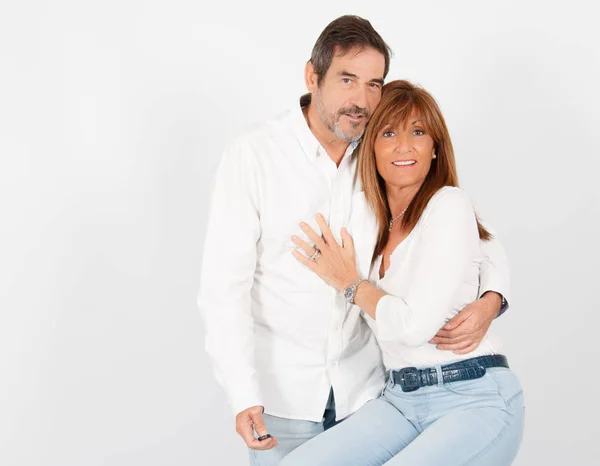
(411, 378)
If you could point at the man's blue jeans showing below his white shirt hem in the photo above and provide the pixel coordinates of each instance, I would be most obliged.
(290, 434)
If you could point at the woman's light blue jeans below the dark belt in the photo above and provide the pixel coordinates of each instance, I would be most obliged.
(475, 422)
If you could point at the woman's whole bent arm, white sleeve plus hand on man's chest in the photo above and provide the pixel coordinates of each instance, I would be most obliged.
(448, 242)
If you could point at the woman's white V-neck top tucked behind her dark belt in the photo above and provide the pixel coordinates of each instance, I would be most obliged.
(433, 274)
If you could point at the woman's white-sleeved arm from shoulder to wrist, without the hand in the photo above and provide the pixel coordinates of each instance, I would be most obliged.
(448, 242)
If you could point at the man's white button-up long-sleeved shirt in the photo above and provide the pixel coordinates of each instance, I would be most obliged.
(278, 335)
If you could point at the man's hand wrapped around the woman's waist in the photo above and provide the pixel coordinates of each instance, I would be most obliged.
(463, 333)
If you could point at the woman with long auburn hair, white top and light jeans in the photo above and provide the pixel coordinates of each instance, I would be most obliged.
(437, 408)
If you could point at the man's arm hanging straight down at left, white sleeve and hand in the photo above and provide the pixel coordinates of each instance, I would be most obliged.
(229, 262)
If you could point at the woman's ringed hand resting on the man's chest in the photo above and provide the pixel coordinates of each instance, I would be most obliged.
(334, 263)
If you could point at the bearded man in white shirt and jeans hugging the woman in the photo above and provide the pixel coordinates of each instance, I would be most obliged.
(282, 341)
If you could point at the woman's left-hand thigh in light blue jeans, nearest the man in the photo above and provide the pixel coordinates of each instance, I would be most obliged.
(370, 437)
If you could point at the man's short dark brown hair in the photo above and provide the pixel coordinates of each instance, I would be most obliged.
(341, 35)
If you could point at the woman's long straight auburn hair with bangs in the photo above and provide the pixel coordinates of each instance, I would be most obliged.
(398, 101)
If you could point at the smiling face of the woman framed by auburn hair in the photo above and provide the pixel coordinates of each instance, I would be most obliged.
(404, 154)
